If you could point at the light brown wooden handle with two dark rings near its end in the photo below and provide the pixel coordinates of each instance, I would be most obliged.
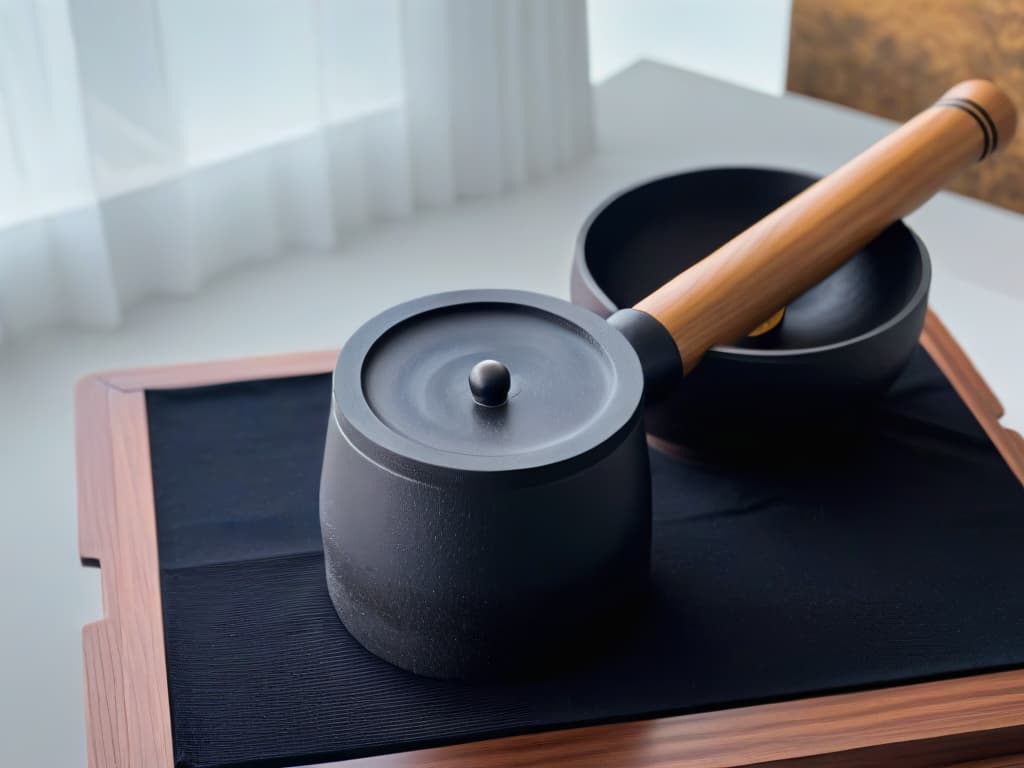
(735, 289)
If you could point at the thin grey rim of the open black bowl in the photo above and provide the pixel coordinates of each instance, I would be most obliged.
(582, 269)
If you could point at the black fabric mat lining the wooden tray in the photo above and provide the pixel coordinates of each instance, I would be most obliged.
(900, 560)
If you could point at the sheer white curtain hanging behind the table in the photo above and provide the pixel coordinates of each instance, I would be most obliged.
(147, 146)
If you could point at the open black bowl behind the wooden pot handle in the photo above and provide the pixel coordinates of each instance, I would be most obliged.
(839, 348)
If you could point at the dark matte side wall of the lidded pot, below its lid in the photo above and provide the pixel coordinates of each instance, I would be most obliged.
(484, 579)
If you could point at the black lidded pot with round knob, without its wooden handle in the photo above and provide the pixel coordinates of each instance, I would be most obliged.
(470, 535)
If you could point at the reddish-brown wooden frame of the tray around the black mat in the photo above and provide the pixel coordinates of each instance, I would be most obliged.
(127, 704)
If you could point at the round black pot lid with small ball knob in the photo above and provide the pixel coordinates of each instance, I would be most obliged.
(486, 380)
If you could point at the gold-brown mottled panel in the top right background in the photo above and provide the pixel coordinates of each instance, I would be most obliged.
(894, 58)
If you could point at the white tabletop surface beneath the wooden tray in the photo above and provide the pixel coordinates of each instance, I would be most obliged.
(652, 120)
